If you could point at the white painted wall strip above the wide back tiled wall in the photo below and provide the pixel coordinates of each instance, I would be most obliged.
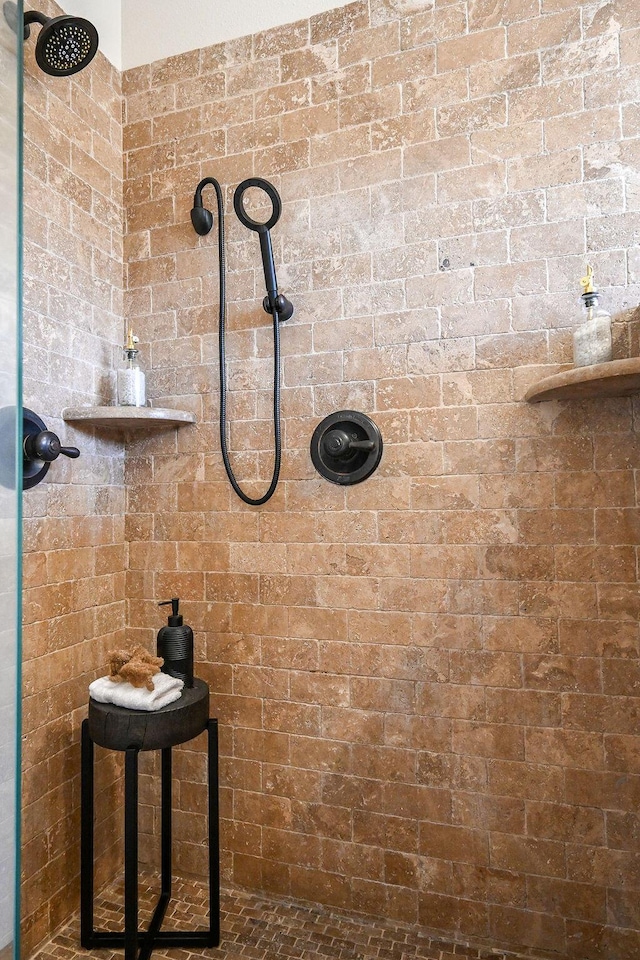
(154, 29)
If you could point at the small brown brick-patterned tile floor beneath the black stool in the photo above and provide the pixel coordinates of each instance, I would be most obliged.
(260, 928)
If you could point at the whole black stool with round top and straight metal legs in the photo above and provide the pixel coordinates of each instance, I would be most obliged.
(132, 731)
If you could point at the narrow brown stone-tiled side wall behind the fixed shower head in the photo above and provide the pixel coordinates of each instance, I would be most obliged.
(75, 555)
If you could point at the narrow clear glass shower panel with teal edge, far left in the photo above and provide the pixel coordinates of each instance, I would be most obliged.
(10, 480)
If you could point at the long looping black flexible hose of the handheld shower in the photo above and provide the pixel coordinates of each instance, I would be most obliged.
(254, 502)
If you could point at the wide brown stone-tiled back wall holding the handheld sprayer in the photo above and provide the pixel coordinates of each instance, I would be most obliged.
(427, 683)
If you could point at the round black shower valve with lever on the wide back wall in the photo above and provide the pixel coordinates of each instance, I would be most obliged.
(346, 447)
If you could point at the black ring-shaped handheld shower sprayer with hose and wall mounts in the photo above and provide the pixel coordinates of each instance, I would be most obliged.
(274, 304)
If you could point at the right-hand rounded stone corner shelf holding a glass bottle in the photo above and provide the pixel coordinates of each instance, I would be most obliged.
(616, 378)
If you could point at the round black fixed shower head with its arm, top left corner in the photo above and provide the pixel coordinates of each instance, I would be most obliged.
(65, 45)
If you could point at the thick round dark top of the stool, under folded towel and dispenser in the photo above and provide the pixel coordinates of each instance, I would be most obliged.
(118, 728)
